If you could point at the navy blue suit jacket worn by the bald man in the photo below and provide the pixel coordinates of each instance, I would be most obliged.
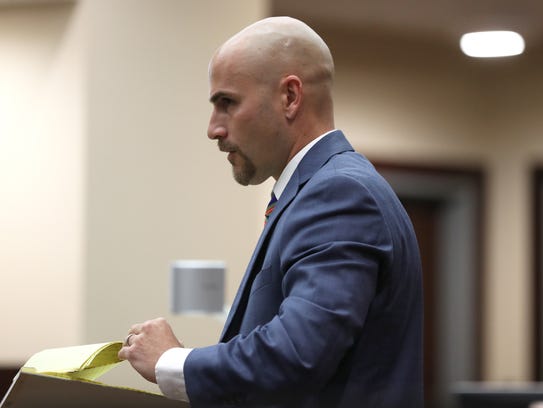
(329, 312)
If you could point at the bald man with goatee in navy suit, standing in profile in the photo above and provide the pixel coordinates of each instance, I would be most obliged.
(329, 312)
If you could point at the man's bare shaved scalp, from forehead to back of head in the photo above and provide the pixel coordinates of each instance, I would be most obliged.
(275, 47)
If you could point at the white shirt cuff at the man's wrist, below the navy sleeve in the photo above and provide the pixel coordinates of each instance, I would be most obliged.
(169, 373)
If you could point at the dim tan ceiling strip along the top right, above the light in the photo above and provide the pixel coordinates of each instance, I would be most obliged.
(439, 18)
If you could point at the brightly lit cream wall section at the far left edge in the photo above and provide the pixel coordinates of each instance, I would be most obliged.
(41, 172)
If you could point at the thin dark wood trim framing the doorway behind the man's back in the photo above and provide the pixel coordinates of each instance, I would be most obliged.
(476, 176)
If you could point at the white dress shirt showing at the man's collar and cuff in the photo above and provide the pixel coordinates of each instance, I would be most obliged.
(169, 368)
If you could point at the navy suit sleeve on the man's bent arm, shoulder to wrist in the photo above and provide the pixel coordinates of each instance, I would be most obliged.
(331, 242)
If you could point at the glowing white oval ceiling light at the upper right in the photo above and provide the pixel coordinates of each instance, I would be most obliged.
(491, 44)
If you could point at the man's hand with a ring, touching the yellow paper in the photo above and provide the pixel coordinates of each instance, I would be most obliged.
(145, 343)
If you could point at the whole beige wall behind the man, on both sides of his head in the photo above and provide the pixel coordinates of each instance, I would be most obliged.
(106, 174)
